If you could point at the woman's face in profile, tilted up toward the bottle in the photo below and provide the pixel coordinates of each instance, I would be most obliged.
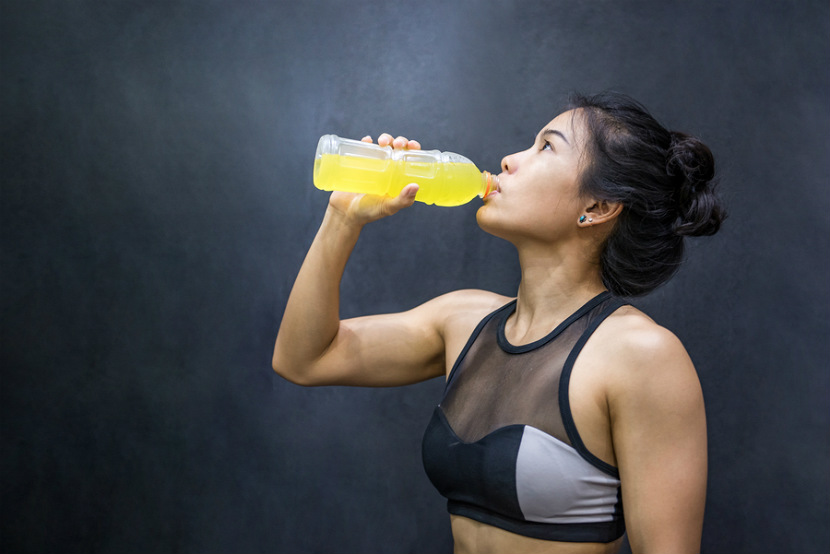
(538, 188)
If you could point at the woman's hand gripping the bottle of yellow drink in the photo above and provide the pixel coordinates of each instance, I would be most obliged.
(360, 209)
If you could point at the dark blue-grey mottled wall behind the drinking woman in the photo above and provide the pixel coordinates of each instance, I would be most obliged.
(157, 204)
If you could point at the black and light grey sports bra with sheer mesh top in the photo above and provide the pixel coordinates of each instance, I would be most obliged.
(502, 446)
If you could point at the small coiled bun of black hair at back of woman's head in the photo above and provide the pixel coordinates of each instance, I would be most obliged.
(691, 164)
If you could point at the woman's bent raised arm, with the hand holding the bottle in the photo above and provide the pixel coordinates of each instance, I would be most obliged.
(314, 347)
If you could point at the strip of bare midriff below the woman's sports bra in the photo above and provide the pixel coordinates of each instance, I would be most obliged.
(473, 537)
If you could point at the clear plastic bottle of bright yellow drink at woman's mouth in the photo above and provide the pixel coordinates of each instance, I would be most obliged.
(444, 178)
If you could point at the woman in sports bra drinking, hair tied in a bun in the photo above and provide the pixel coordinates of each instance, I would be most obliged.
(564, 404)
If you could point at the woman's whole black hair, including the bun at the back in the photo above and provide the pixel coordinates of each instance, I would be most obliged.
(664, 180)
